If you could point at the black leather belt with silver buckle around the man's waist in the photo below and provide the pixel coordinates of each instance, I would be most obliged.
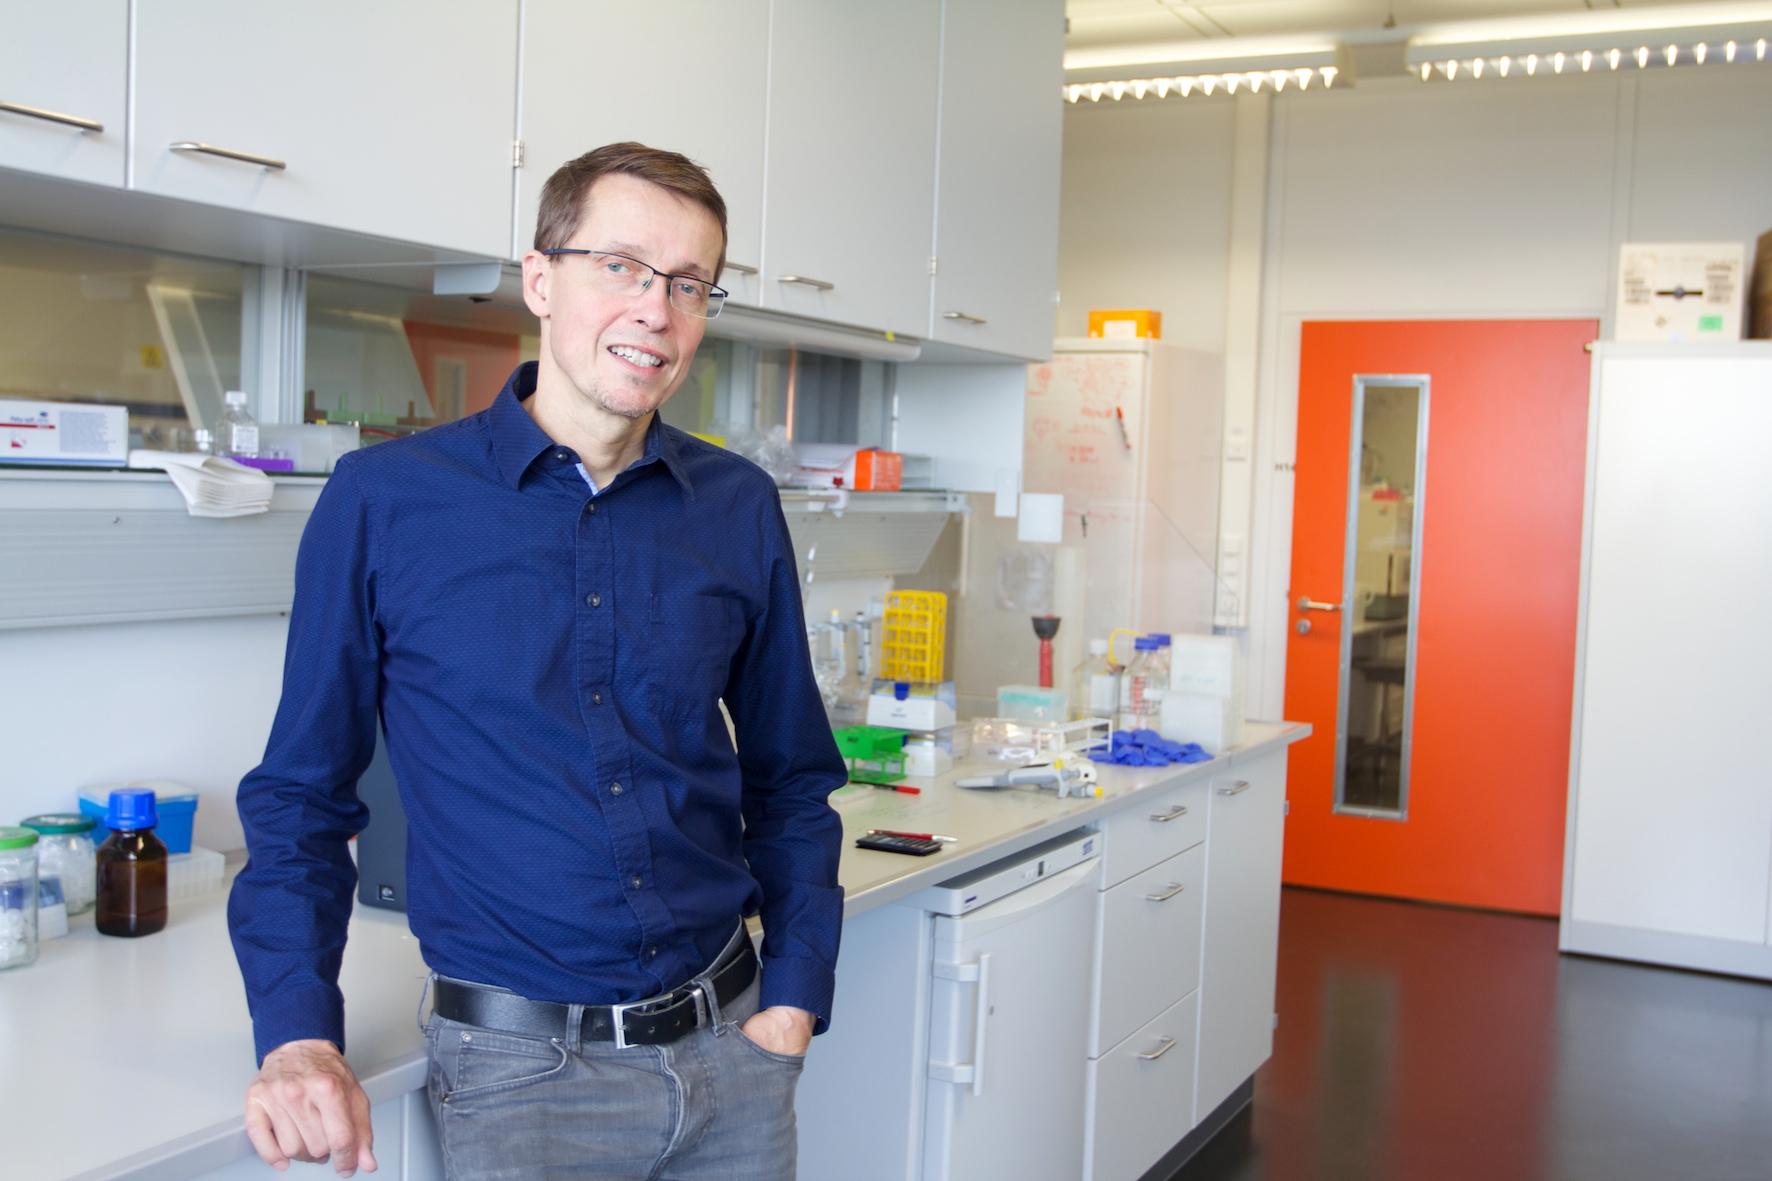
(651, 1022)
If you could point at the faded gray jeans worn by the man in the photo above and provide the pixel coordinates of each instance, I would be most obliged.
(713, 1104)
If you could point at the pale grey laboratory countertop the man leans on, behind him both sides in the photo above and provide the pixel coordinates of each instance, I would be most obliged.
(128, 1060)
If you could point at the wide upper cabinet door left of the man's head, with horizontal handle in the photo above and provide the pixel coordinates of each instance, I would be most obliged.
(394, 120)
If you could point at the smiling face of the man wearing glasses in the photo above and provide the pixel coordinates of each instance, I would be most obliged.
(623, 352)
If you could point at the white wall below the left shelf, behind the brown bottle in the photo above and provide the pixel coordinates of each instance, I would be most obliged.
(189, 701)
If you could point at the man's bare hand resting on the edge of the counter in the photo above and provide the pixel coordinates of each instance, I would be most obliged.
(307, 1106)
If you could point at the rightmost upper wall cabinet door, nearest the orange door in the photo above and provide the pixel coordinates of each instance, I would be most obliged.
(997, 205)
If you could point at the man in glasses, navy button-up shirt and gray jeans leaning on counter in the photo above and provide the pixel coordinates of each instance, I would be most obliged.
(545, 606)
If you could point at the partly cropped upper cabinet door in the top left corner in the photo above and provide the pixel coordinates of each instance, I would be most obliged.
(66, 59)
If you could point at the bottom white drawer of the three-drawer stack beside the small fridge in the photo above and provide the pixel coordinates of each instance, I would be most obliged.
(1142, 1093)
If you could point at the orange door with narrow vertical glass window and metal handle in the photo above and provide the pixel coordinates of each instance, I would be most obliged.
(1434, 590)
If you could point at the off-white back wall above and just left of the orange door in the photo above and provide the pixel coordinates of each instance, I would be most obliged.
(1404, 201)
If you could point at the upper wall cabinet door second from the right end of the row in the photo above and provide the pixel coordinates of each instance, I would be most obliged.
(851, 168)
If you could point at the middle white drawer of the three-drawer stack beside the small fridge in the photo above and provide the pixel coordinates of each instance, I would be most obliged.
(1149, 946)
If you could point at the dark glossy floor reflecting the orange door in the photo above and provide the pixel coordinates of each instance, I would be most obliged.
(1447, 1045)
